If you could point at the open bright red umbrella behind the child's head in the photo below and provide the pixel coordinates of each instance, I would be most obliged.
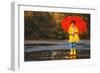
(80, 23)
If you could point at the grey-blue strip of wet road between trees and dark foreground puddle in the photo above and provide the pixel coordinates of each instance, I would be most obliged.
(54, 45)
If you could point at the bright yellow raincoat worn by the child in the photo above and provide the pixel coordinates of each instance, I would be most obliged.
(73, 34)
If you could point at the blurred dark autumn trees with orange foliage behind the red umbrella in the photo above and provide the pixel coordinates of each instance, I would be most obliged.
(47, 25)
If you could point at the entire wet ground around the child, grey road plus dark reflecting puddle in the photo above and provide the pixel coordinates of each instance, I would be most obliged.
(54, 50)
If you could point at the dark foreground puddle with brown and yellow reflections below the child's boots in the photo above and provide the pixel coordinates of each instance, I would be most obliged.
(56, 55)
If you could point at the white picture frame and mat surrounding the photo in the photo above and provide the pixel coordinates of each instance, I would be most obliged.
(18, 31)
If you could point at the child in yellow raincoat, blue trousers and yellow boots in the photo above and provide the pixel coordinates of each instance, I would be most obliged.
(73, 37)
